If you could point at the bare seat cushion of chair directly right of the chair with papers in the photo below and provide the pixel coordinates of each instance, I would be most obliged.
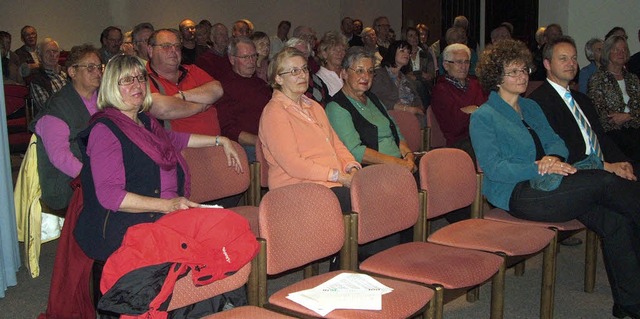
(430, 264)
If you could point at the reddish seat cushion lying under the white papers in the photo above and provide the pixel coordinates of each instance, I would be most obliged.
(405, 299)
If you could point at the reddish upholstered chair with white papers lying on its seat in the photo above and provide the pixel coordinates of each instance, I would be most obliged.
(303, 223)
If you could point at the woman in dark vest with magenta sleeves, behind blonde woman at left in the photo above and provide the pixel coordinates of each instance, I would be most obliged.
(58, 124)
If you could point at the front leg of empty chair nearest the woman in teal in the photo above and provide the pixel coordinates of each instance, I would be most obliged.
(547, 293)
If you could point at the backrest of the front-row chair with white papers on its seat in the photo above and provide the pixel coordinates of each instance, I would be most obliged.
(301, 223)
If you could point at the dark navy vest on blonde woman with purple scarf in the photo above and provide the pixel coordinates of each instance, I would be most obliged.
(100, 231)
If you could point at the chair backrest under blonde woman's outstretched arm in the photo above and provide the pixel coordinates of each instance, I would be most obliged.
(211, 177)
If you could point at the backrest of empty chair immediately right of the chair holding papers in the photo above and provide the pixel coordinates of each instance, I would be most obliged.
(385, 197)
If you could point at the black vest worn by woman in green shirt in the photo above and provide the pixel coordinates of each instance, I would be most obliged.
(368, 132)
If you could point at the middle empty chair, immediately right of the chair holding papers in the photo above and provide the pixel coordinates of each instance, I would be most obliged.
(385, 200)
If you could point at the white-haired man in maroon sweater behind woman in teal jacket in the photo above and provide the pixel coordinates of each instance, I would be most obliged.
(455, 96)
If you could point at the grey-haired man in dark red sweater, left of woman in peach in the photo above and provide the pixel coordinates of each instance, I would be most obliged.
(245, 96)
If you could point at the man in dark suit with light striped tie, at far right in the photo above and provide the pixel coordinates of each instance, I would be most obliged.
(619, 235)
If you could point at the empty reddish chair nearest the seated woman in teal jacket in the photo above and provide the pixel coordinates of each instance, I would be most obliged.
(448, 182)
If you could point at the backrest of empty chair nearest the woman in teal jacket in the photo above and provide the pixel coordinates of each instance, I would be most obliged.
(448, 177)
